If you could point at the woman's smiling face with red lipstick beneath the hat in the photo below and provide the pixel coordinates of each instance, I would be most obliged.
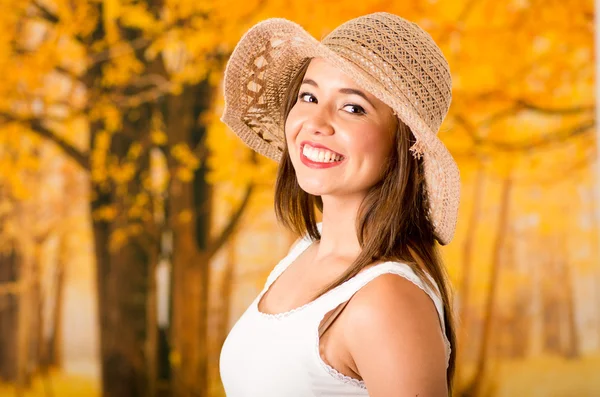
(332, 116)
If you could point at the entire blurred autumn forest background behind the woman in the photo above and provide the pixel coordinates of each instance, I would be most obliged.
(135, 228)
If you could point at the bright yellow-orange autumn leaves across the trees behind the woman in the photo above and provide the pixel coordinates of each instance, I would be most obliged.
(523, 108)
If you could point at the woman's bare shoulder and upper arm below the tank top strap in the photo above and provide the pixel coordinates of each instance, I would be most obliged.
(395, 339)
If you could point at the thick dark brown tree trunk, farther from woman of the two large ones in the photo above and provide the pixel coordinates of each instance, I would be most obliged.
(120, 275)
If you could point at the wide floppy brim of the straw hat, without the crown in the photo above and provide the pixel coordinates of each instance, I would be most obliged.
(262, 65)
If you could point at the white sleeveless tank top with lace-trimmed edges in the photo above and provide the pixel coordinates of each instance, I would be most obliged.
(275, 355)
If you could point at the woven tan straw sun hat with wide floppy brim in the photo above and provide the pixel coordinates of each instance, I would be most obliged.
(388, 56)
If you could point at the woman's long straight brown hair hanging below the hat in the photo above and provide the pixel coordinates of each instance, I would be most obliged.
(392, 221)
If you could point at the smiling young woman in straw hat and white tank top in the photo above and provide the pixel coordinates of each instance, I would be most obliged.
(360, 306)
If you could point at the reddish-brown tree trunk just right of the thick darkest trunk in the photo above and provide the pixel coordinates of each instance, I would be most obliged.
(189, 217)
